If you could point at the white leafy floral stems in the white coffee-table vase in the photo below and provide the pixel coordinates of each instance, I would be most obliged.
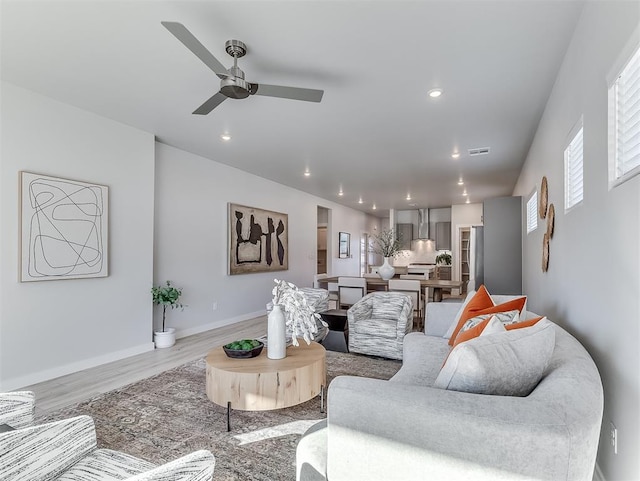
(300, 317)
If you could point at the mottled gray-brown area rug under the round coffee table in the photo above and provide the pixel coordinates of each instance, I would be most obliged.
(169, 415)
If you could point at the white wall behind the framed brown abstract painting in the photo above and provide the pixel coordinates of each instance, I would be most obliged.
(191, 238)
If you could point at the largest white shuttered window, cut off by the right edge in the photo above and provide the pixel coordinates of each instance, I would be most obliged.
(624, 128)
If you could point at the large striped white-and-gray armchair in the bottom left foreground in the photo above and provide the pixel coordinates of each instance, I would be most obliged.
(67, 450)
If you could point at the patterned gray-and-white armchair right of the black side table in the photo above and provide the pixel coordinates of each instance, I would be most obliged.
(378, 323)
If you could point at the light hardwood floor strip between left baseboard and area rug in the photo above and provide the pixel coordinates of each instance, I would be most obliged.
(83, 385)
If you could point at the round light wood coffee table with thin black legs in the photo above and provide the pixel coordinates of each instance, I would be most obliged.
(261, 384)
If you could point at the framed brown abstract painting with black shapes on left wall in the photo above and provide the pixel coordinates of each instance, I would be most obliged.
(258, 240)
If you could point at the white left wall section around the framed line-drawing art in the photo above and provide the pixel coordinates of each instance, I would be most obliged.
(51, 328)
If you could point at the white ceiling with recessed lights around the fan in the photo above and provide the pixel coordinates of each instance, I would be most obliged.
(376, 134)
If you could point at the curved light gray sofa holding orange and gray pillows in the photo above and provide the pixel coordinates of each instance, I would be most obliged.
(405, 428)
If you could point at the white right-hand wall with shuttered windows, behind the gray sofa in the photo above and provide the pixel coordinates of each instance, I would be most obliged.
(592, 286)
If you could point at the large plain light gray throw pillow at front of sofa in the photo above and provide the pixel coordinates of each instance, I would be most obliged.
(510, 363)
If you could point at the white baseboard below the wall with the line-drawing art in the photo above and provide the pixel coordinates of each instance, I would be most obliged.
(48, 374)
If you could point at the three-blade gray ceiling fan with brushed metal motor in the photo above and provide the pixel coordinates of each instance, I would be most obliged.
(232, 83)
